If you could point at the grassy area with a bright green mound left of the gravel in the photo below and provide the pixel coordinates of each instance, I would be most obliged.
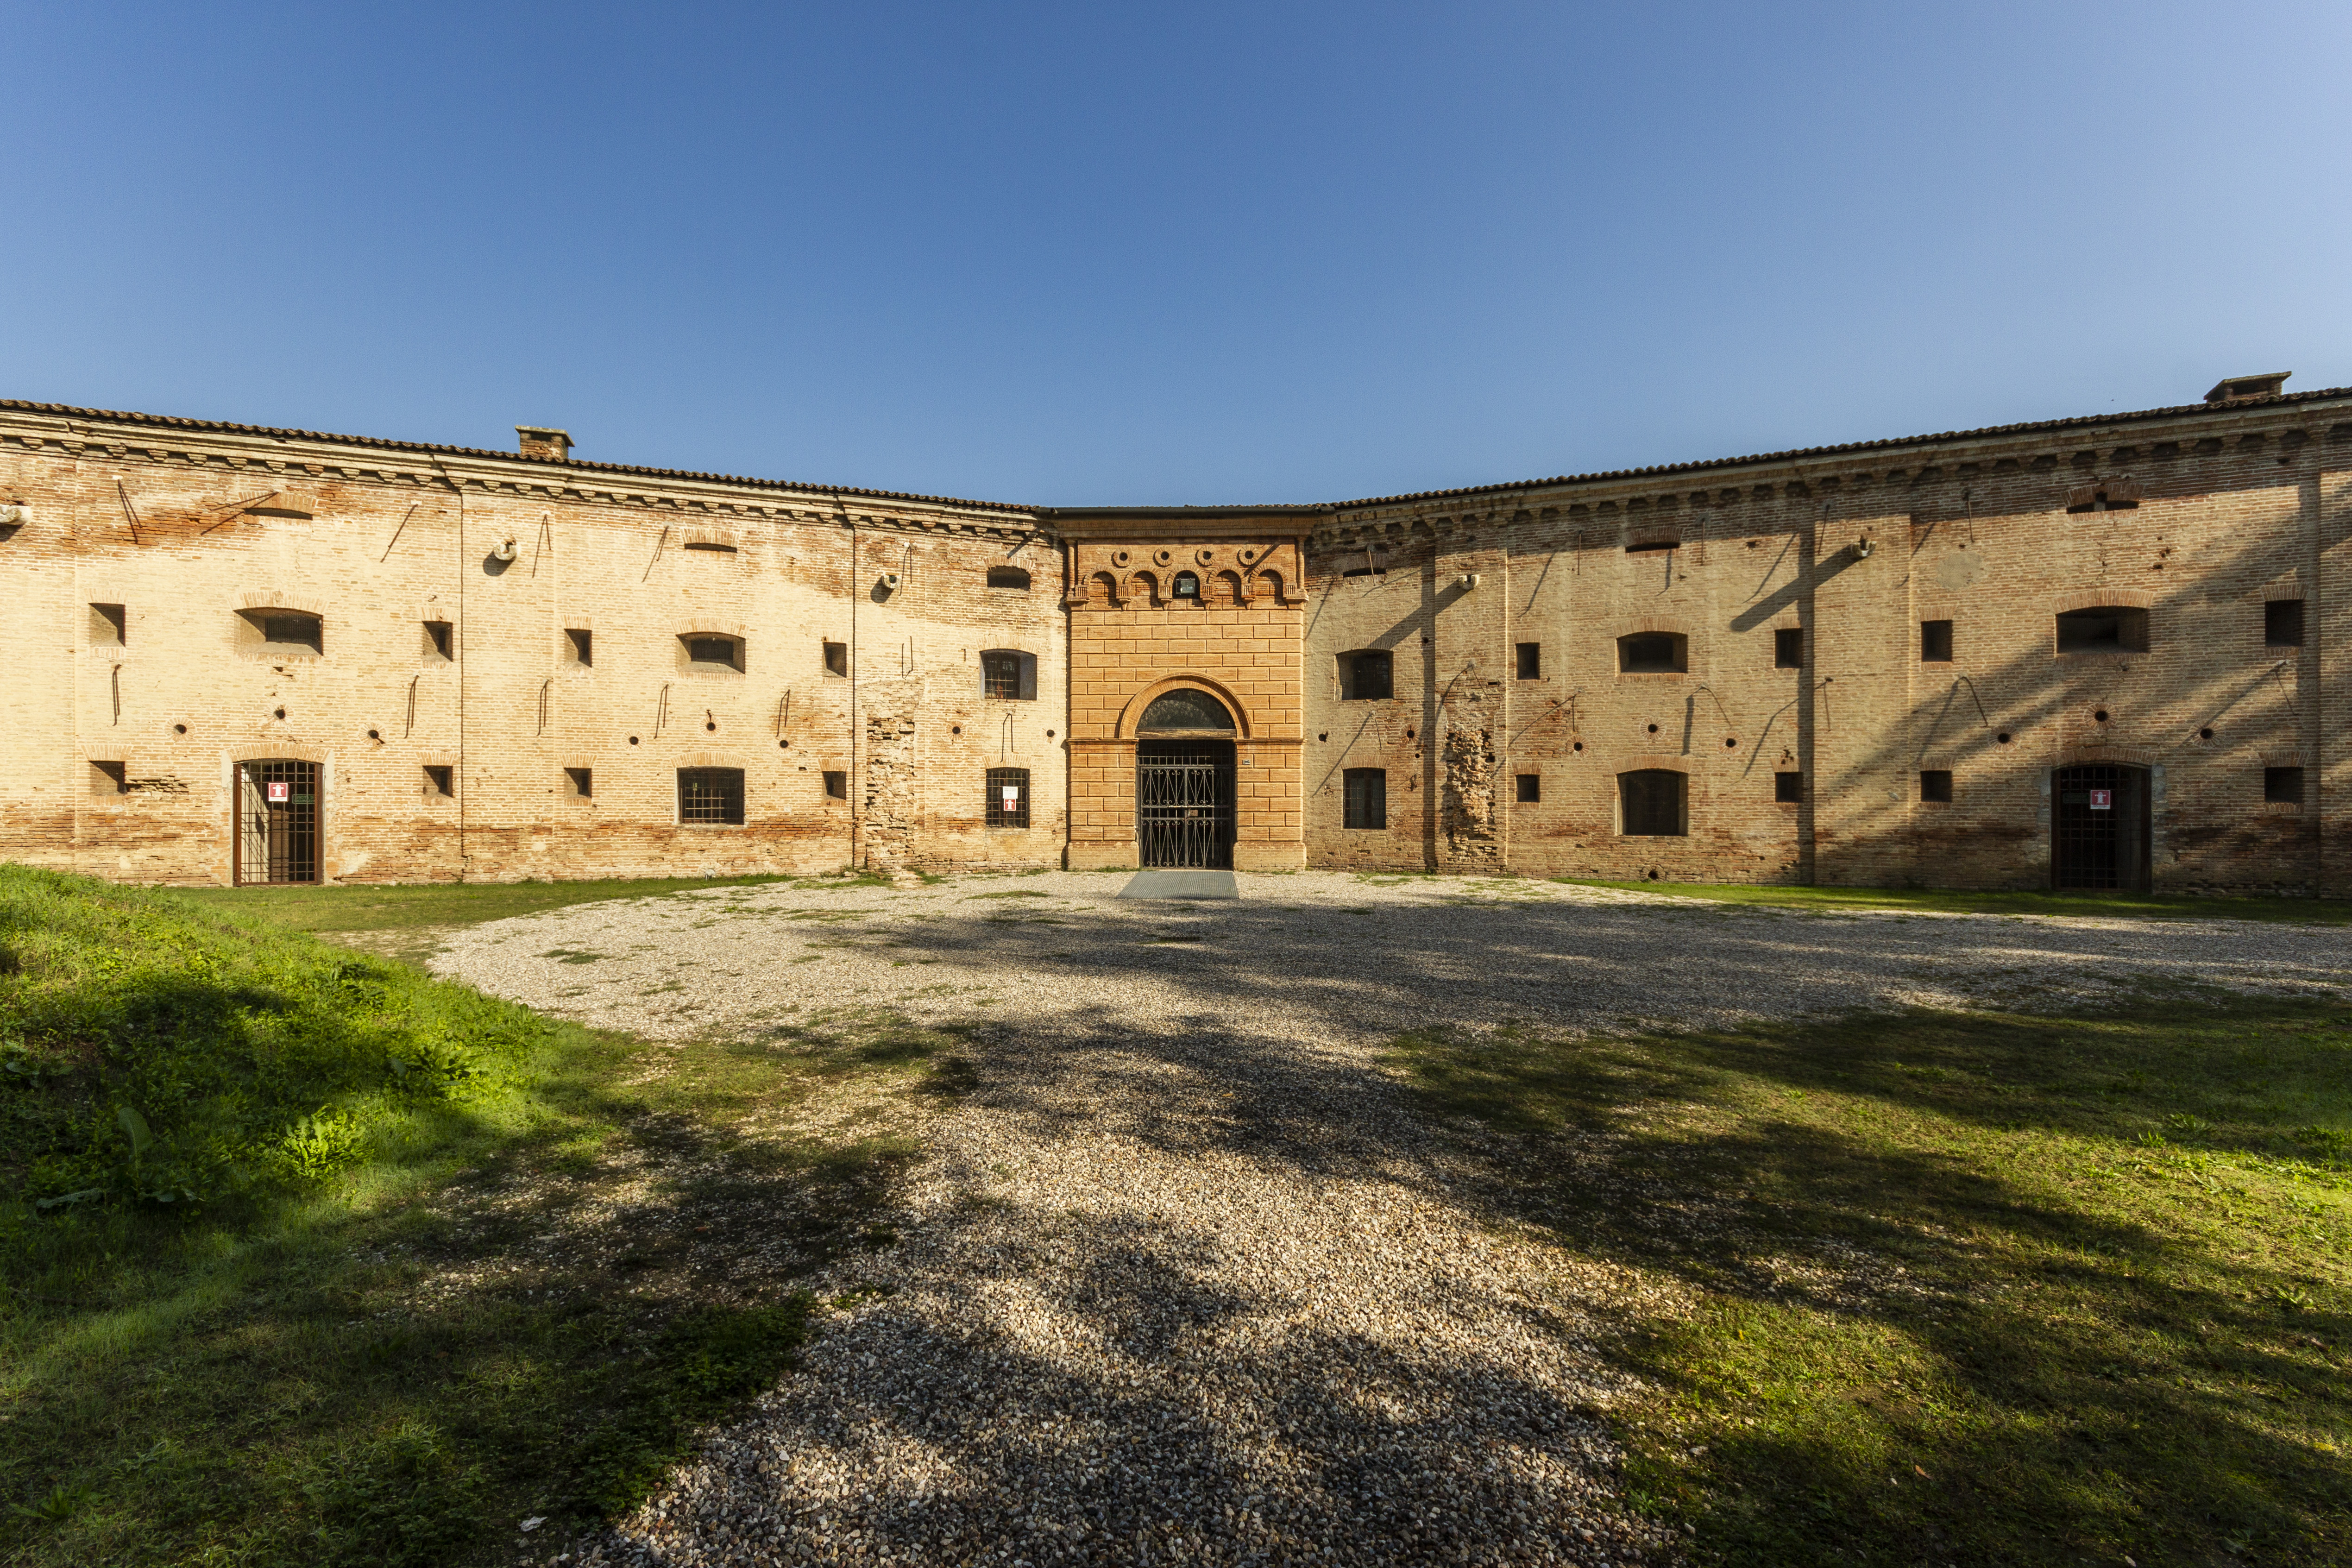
(309, 1259)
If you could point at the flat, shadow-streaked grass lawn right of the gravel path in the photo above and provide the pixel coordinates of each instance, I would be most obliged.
(1970, 1287)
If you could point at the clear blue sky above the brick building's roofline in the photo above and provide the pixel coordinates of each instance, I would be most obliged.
(1170, 255)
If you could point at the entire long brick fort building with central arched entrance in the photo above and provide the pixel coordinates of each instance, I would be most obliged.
(2097, 652)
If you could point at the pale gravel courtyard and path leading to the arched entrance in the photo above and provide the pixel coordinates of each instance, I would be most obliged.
(1184, 1278)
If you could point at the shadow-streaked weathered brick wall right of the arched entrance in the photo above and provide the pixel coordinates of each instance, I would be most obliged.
(2240, 504)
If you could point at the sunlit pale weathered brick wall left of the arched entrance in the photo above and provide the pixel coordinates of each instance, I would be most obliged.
(189, 525)
